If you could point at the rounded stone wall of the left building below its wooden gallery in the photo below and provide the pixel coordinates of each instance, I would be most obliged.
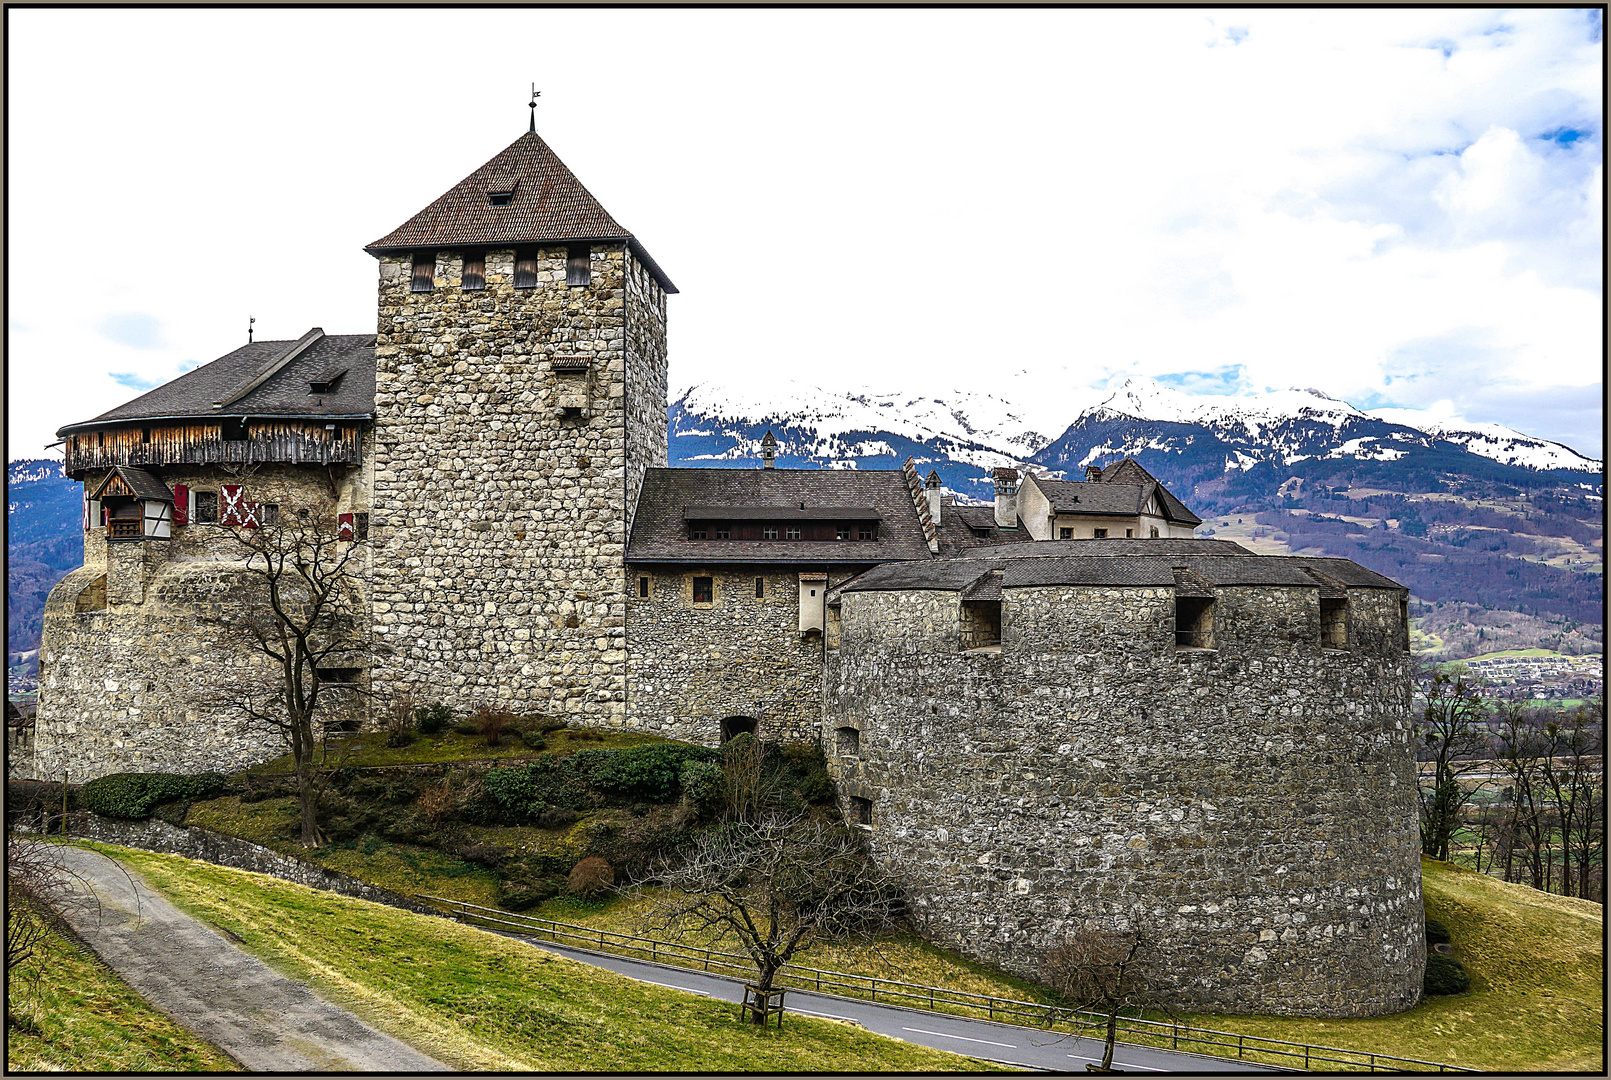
(131, 673)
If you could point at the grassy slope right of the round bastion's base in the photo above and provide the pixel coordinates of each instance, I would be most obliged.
(1538, 978)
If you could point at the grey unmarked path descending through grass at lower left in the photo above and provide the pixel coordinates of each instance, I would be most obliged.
(238, 1003)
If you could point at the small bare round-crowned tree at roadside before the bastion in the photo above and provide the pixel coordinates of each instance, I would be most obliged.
(1104, 970)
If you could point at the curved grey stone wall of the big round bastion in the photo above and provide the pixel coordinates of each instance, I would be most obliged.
(1251, 805)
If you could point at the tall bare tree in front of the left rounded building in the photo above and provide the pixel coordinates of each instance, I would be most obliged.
(302, 615)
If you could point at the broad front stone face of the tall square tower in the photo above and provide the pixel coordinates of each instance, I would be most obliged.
(500, 528)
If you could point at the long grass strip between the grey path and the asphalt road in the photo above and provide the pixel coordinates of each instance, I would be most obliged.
(479, 1002)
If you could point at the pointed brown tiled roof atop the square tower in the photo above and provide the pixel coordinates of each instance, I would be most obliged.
(523, 196)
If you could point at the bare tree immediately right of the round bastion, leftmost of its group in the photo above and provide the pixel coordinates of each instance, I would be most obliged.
(1454, 736)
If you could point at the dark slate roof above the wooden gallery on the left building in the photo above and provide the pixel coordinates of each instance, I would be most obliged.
(283, 394)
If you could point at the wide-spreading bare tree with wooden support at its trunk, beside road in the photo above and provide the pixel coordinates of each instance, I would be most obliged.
(777, 886)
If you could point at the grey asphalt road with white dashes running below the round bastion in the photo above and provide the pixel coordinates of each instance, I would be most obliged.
(979, 1039)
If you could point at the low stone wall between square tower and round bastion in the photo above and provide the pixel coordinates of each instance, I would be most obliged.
(692, 667)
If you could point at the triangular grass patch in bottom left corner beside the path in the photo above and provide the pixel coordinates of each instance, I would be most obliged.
(78, 1016)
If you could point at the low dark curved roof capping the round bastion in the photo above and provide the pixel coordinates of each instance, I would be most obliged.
(1119, 563)
